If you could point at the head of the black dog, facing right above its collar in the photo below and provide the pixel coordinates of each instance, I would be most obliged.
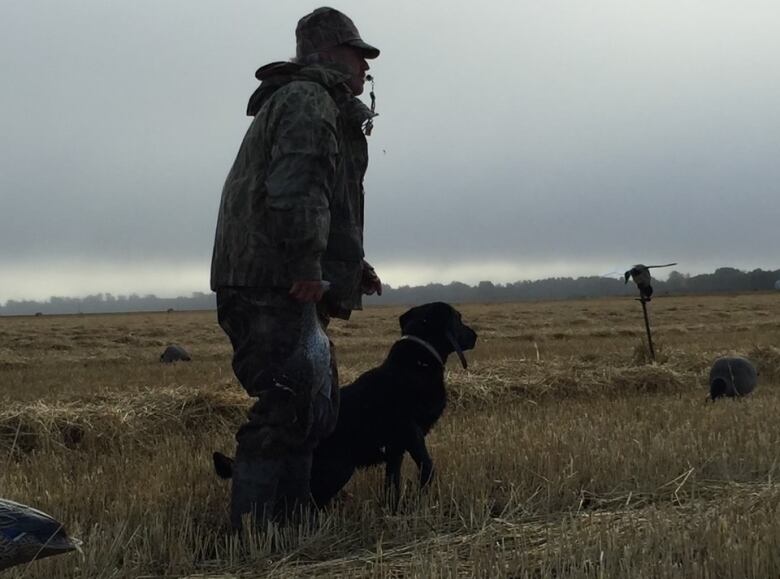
(442, 326)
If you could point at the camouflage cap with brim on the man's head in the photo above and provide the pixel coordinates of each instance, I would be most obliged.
(325, 28)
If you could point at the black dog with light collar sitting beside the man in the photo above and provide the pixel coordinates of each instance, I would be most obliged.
(388, 410)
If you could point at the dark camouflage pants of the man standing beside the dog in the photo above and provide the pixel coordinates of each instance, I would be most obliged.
(264, 327)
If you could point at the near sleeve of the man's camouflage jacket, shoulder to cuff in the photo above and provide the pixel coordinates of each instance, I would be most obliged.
(300, 176)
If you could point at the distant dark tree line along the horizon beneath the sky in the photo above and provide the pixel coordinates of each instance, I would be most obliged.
(724, 279)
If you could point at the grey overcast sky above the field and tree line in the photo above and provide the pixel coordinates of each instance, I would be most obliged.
(516, 139)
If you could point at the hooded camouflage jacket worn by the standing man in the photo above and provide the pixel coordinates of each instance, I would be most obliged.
(292, 204)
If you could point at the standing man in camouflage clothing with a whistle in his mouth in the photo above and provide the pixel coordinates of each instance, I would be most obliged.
(289, 237)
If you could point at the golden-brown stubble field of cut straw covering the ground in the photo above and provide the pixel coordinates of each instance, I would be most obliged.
(563, 452)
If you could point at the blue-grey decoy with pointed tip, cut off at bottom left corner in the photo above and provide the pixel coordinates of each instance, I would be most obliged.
(27, 534)
